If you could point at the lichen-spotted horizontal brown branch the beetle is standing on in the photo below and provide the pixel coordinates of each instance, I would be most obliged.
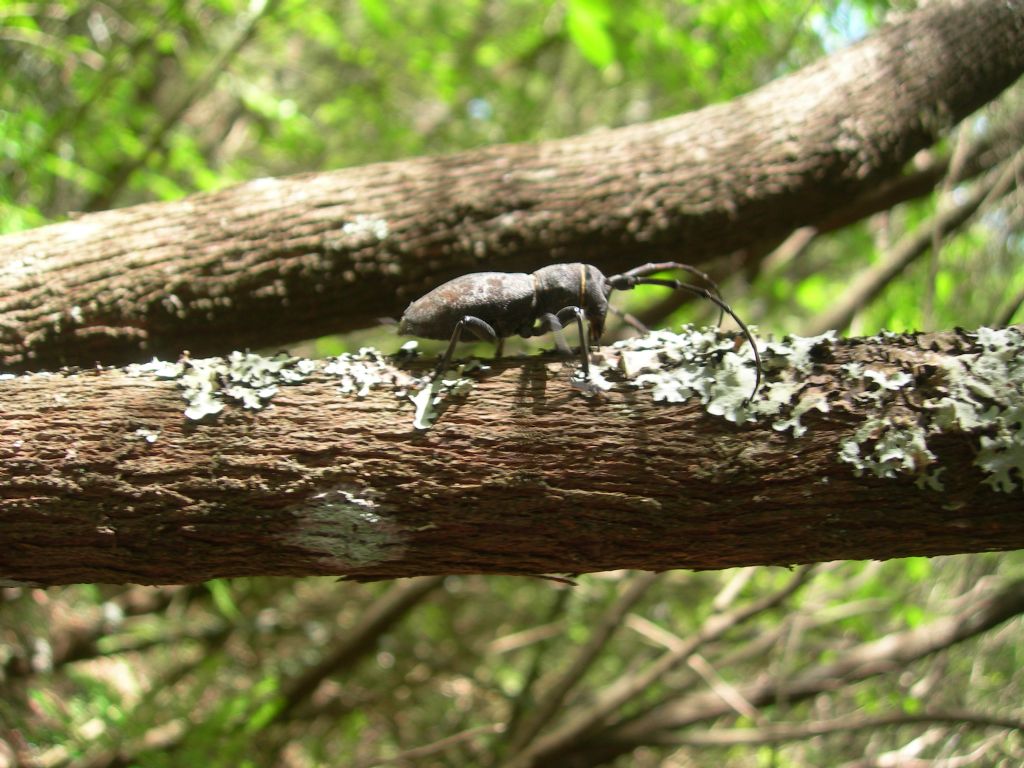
(108, 482)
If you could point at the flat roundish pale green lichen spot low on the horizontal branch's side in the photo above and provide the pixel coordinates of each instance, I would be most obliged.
(346, 528)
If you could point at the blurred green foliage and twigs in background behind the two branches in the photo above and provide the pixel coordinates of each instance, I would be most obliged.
(112, 104)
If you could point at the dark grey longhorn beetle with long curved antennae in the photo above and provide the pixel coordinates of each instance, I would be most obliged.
(497, 306)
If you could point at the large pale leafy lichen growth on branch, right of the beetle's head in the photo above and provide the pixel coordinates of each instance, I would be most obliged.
(982, 393)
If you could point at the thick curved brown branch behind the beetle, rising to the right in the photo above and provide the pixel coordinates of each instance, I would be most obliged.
(273, 262)
